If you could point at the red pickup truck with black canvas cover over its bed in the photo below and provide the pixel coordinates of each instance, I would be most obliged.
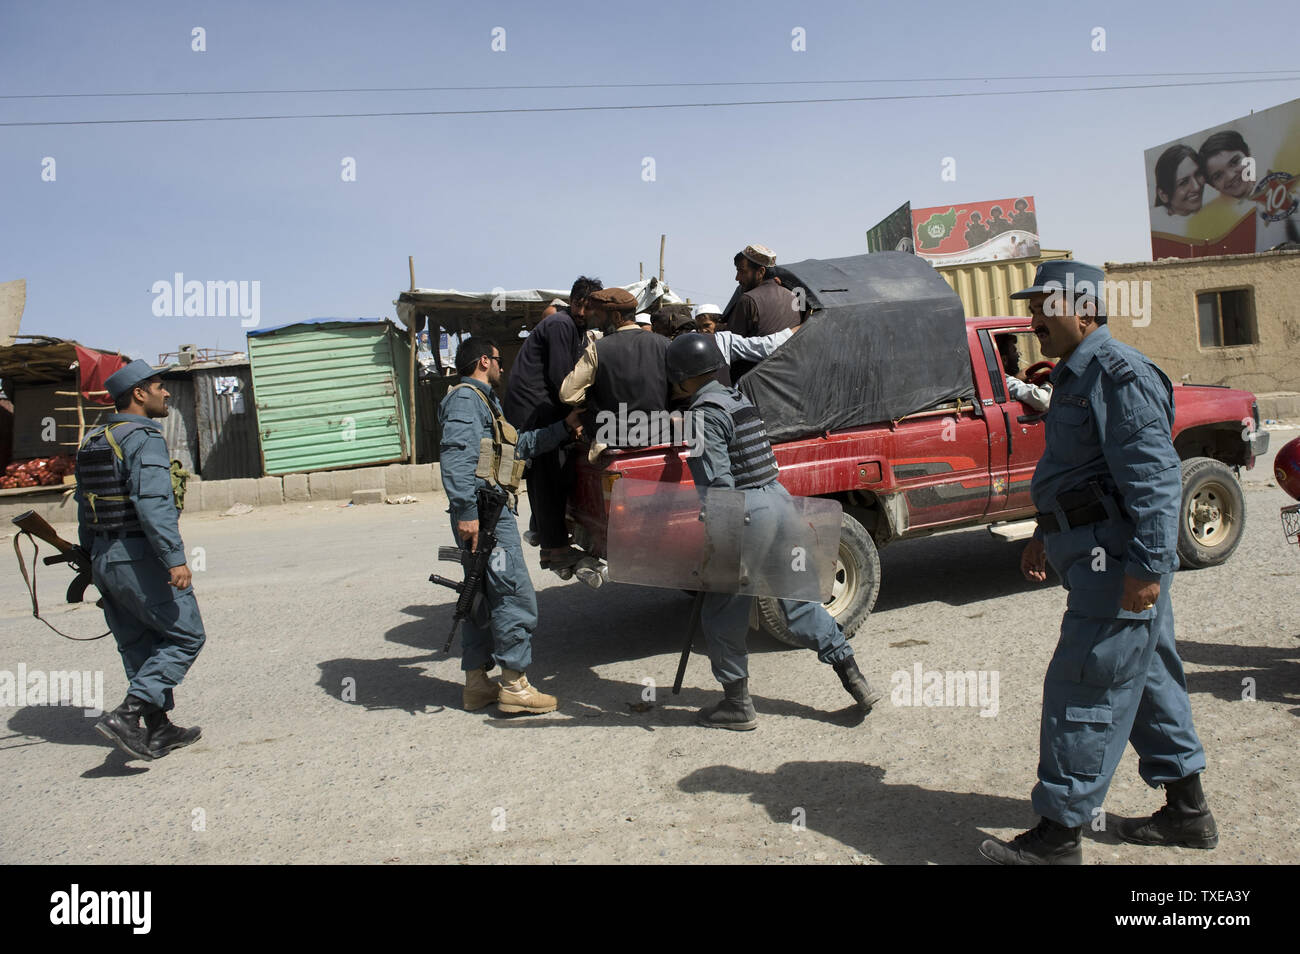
(894, 404)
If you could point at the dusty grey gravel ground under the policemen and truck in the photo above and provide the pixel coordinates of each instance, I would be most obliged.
(302, 600)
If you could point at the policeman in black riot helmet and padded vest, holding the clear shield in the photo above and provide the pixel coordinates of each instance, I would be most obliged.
(736, 454)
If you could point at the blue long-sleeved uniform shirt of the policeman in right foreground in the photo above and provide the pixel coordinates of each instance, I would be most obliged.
(1112, 419)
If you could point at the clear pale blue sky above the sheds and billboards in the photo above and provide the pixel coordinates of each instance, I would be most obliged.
(535, 200)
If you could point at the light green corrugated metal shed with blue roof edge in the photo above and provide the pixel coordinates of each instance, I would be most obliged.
(331, 394)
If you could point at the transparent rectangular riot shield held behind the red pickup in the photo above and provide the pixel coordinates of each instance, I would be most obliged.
(751, 543)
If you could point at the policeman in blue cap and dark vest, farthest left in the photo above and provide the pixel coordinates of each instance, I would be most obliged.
(129, 526)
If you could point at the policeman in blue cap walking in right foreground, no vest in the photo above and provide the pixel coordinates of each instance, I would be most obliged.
(1108, 491)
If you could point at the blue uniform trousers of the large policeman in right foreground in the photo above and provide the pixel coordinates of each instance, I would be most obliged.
(1113, 682)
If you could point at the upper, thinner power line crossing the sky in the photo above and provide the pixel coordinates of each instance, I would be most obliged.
(631, 86)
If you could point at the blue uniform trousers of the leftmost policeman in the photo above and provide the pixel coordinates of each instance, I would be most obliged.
(158, 628)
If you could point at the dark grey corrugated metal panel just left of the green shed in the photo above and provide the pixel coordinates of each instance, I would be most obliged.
(227, 420)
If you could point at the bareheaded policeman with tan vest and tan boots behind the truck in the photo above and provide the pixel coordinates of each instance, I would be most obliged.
(469, 414)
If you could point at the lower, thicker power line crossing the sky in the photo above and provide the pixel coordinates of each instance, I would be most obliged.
(632, 107)
